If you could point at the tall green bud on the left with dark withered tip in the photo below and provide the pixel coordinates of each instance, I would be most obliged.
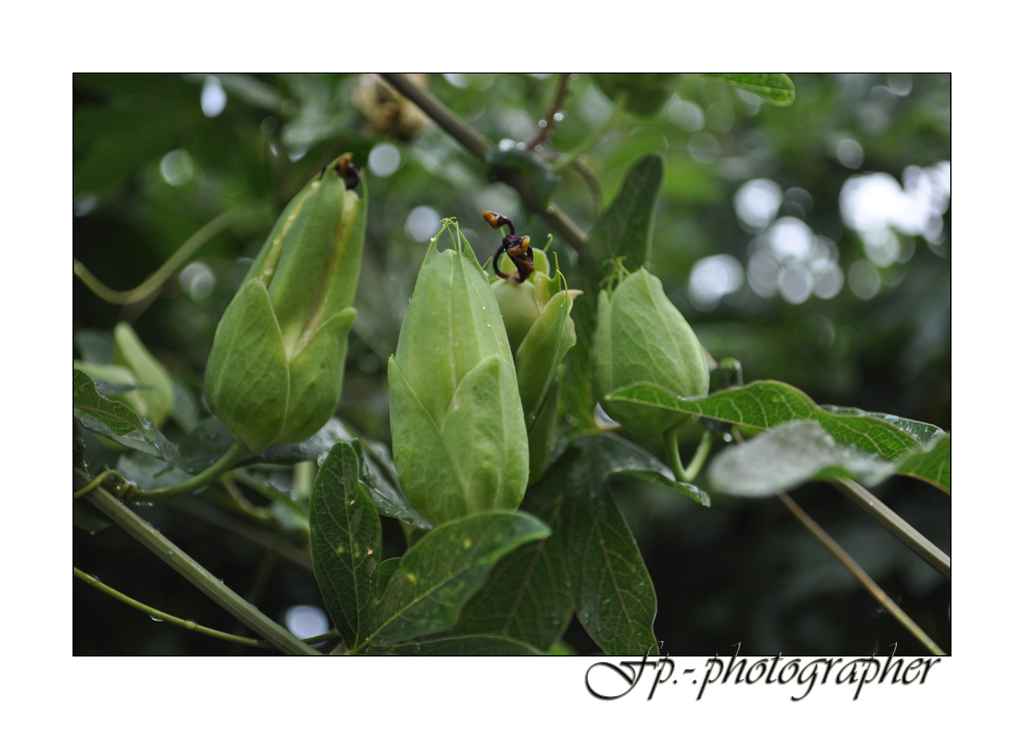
(276, 370)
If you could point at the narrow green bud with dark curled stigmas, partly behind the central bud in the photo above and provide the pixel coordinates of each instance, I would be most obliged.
(541, 333)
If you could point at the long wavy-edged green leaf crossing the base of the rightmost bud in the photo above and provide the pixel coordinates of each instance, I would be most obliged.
(766, 405)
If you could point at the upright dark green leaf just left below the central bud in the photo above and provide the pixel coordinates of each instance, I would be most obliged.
(346, 544)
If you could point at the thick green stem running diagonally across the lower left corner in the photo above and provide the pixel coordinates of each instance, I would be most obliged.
(170, 553)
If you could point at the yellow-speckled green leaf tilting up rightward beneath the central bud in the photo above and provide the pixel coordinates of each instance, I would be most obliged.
(446, 568)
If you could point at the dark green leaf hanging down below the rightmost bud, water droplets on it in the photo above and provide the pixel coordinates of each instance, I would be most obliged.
(616, 601)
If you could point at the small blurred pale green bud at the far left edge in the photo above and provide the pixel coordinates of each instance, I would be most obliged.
(153, 397)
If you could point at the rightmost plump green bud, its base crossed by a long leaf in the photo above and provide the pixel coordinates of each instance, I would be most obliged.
(643, 338)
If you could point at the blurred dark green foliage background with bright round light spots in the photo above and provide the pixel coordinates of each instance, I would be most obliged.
(810, 242)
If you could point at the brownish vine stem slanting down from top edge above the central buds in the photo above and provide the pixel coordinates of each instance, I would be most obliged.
(479, 146)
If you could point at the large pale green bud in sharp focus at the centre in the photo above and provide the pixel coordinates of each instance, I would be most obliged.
(457, 423)
